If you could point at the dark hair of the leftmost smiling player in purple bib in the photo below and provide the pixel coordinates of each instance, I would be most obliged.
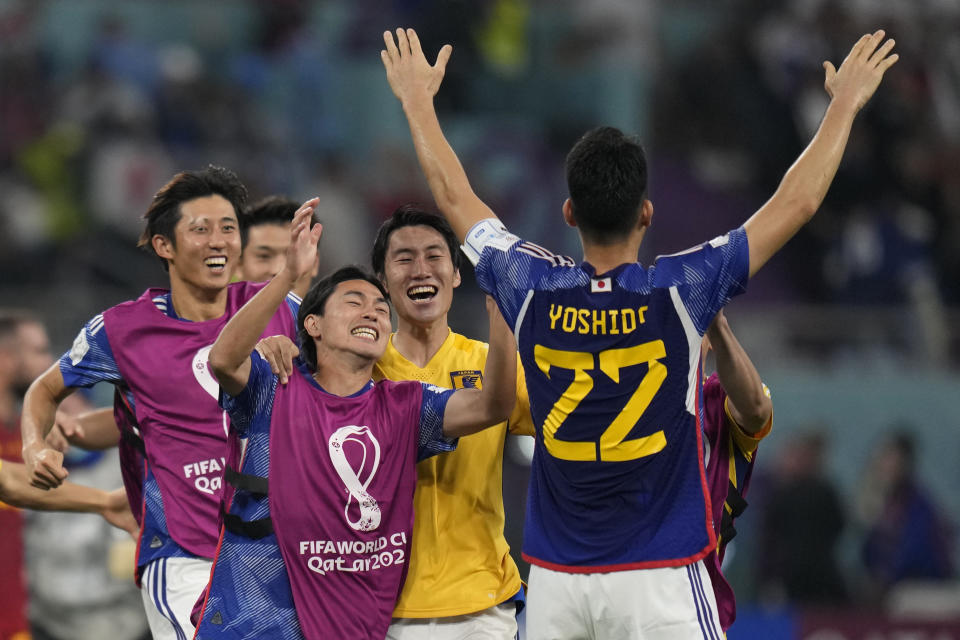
(164, 212)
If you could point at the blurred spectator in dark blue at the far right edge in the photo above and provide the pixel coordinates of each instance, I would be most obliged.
(907, 535)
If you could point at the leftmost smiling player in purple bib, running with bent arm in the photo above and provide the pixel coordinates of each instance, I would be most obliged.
(154, 350)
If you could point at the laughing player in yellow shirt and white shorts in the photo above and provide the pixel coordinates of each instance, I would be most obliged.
(461, 579)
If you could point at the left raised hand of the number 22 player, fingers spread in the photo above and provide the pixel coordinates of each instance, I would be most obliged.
(409, 73)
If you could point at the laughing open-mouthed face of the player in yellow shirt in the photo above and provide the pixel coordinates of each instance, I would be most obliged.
(419, 274)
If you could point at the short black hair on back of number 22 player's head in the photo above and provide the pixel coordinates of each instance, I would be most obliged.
(607, 180)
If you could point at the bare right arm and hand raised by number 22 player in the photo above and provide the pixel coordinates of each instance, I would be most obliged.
(805, 184)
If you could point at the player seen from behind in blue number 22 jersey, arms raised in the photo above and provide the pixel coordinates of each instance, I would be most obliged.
(618, 520)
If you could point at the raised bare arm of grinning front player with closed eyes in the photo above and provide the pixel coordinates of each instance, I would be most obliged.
(230, 355)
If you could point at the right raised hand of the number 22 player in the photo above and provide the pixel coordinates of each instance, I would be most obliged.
(860, 73)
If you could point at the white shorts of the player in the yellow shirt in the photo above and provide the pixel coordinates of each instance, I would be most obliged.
(495, 623)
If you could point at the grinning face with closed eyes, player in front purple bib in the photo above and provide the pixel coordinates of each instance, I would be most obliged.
(355, 321)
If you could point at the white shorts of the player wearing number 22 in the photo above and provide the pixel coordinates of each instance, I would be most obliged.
(673, 603)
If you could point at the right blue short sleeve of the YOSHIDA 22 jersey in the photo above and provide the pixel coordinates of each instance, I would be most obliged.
(708, 276)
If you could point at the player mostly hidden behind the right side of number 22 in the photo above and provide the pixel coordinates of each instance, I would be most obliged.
(737, 415)
